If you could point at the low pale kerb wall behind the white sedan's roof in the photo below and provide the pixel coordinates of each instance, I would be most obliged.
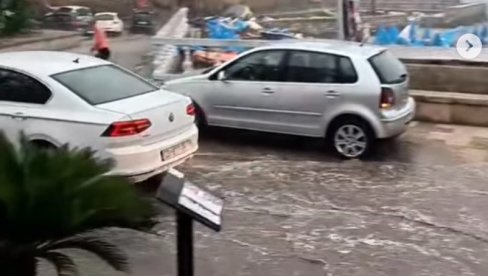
(53, 41)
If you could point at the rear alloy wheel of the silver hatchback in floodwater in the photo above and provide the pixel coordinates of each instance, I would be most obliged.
(351, 141)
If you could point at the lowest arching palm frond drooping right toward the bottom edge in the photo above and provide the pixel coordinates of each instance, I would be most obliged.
(106, 251)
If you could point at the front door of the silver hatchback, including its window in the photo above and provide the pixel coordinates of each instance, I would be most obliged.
(242, 98)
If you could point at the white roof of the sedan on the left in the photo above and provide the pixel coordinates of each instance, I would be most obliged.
(46, 63)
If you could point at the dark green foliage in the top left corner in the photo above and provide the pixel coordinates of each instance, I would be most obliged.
(14, 17)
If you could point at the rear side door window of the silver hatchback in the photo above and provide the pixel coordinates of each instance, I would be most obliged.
(312, 67)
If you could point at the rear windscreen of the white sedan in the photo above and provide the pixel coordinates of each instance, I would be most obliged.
(103, 84)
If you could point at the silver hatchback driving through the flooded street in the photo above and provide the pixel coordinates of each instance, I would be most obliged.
(348, 93)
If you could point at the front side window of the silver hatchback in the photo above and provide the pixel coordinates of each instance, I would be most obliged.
(260, 66)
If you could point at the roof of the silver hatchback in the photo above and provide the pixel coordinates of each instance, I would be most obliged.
(342, 48)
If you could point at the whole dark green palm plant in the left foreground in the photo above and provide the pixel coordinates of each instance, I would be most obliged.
(53, 199)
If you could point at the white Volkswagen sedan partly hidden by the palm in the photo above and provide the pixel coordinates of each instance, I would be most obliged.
(59, 98)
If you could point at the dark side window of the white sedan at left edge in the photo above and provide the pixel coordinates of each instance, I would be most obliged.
(17, 87)
